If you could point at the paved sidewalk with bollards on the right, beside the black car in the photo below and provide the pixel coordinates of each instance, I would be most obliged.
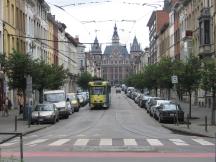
(197, 123)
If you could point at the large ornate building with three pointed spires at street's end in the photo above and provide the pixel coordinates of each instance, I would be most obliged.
(115, 64)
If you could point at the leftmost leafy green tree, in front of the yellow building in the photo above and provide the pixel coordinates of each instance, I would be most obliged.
(18, 66)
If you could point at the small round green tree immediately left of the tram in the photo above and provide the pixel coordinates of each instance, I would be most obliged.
(83, 80)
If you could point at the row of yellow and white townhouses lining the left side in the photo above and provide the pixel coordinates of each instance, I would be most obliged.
(28, 27)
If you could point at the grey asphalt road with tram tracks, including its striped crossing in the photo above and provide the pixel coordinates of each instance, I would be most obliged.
(122, 131)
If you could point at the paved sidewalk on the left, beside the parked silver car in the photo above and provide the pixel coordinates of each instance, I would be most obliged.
(7, 125)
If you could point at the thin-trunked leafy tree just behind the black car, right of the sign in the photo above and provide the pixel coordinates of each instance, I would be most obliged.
(190, 79)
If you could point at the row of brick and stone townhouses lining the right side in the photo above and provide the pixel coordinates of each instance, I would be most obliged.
(181, 28)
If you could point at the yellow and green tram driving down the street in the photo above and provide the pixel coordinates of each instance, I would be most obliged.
(99, 94)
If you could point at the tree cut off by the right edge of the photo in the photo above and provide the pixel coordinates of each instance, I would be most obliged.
(209, 83)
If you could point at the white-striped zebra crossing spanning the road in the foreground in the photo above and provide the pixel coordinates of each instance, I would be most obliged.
(111, 142)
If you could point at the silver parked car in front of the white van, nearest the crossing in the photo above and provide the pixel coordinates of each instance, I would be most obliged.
(45, 113)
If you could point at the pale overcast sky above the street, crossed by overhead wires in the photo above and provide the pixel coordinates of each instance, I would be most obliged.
(90, 18)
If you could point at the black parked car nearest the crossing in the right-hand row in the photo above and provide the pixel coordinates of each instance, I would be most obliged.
(169, 112)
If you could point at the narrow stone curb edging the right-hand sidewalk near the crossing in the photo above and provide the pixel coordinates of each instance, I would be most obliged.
(189, 132)
